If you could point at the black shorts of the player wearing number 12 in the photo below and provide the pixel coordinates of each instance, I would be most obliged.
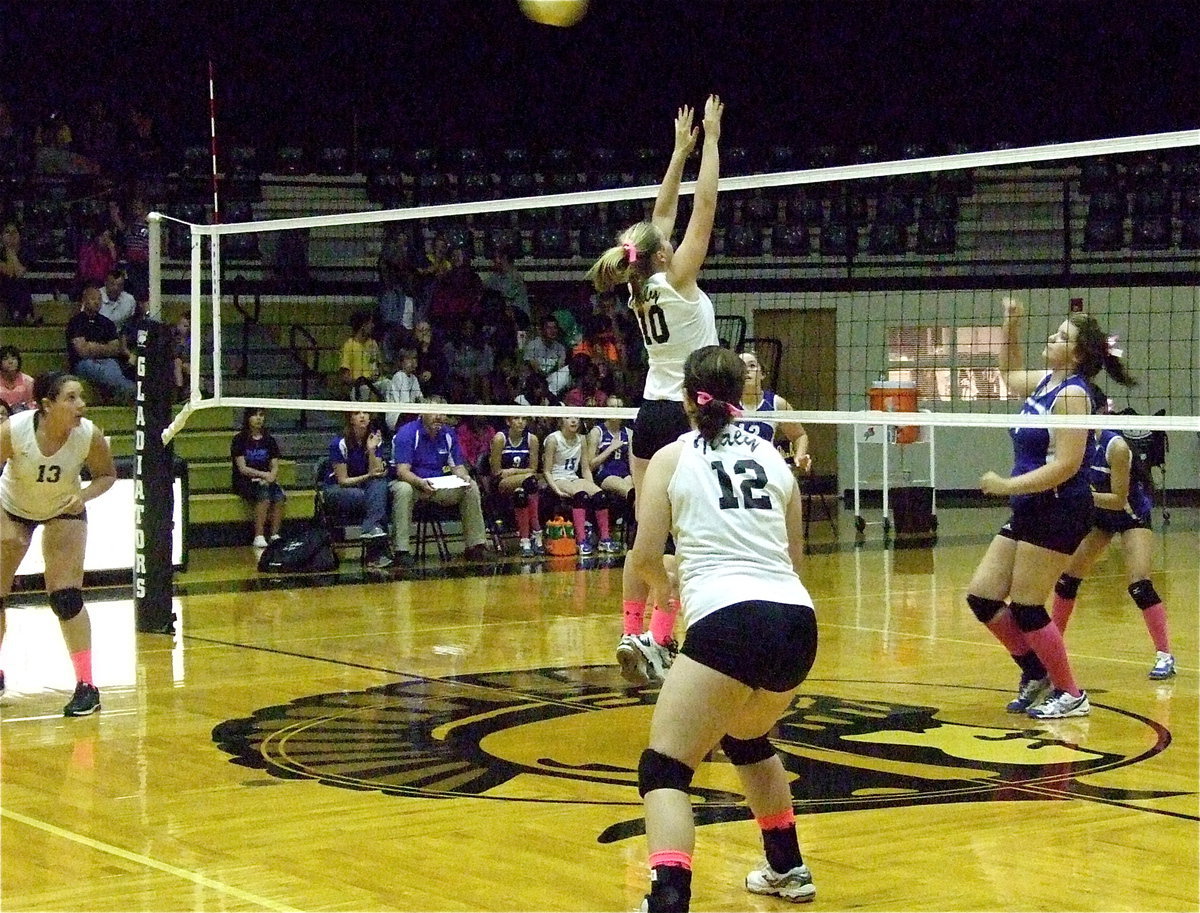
(769, 646)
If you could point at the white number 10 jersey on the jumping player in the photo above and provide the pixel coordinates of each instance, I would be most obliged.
(673, 328)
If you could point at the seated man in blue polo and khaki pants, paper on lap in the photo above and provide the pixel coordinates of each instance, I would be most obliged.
(430, 466)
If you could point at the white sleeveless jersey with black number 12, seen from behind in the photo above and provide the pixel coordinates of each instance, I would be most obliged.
(729, 506)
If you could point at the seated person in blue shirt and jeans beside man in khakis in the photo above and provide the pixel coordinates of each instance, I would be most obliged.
(358, 480)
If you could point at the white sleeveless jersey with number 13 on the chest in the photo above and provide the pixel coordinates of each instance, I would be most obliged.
(35, 486)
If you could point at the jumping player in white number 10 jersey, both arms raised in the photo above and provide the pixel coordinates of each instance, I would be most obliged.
(676, 319)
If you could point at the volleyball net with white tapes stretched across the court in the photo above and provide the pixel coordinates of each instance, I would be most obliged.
(843, 279)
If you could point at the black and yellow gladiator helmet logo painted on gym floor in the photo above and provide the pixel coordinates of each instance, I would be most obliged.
(574, 735)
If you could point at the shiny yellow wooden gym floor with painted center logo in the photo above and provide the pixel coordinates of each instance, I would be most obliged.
(460, 741)
